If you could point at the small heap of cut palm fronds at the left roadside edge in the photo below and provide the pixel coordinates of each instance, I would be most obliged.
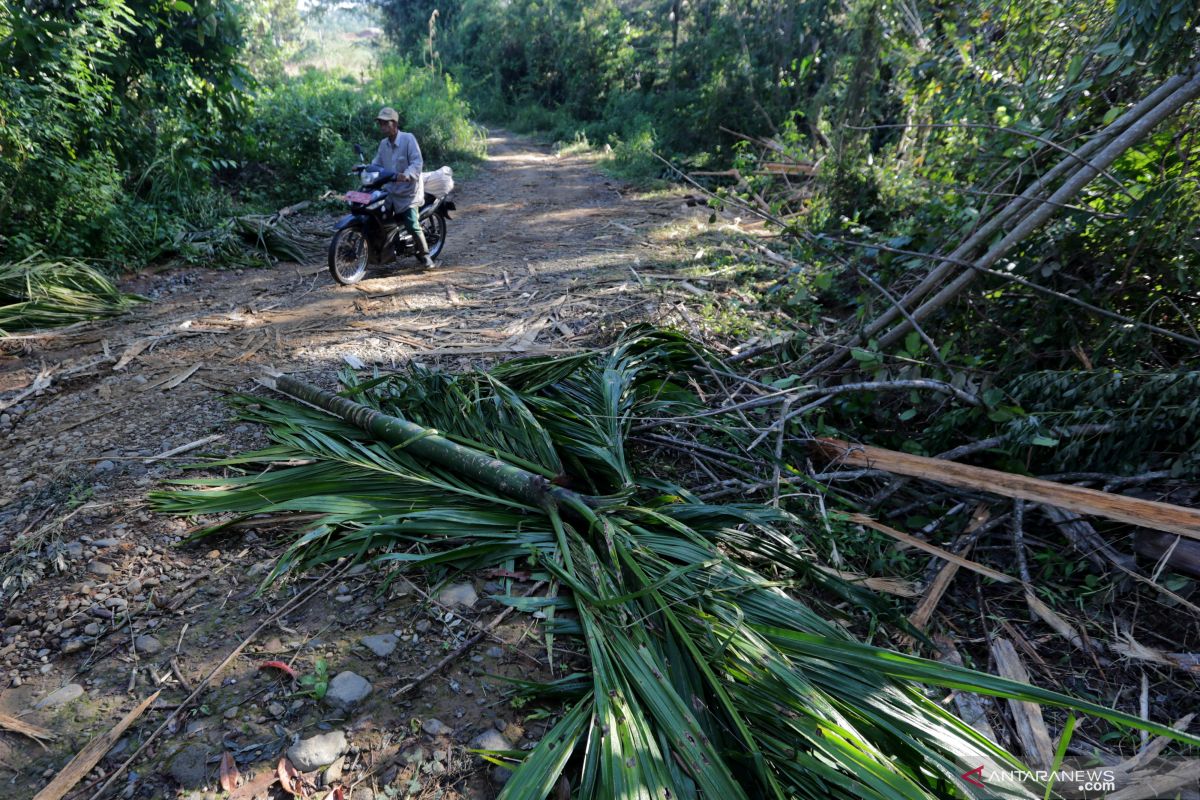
(49, 293)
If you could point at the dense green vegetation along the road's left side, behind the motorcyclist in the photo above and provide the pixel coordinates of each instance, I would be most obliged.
(130, 127)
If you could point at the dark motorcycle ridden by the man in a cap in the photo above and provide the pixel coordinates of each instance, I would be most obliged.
(373, 236)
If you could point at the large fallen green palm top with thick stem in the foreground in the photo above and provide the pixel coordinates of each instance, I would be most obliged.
(710, 677)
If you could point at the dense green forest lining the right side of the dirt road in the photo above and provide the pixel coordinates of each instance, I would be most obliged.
(874, 134)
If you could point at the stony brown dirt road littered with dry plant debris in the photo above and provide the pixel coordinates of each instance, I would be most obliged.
(105, 601)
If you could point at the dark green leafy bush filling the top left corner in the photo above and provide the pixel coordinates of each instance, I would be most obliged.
(115, 116)
